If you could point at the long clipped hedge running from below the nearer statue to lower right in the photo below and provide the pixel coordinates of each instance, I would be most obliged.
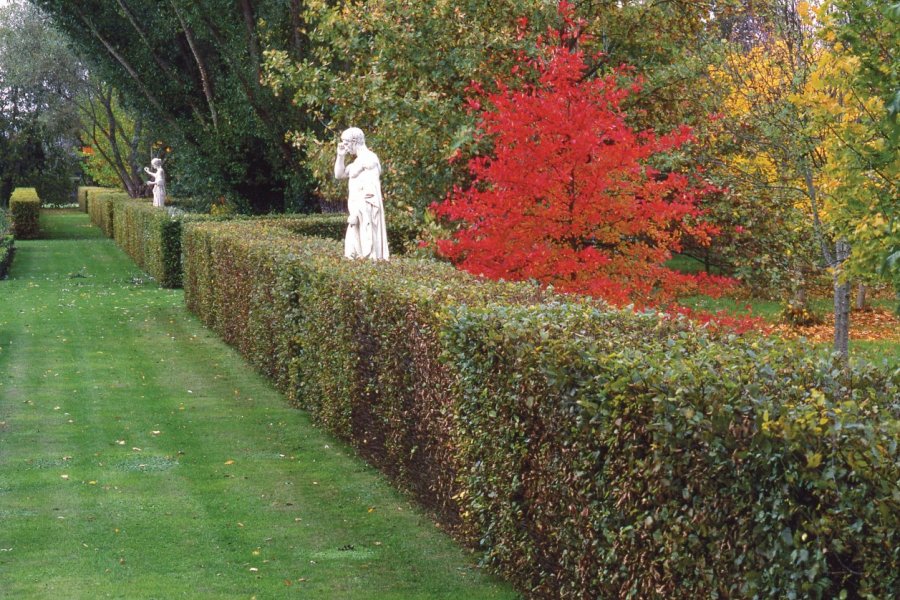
(588, 453)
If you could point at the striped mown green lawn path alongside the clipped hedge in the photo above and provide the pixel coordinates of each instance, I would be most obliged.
(141, 458)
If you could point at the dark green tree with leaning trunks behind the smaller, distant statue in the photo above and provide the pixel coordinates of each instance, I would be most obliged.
(192, 70)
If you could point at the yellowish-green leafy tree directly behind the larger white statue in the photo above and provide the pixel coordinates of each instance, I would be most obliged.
(399, 71)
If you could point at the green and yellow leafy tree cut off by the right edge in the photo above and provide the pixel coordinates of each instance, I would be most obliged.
(854, 100)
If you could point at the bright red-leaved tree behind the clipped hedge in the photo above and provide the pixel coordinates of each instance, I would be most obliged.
(569, 197)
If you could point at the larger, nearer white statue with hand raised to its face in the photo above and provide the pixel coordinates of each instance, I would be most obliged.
(366, 231)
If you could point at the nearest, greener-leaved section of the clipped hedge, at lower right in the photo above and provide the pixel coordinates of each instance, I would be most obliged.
(673, 465)
